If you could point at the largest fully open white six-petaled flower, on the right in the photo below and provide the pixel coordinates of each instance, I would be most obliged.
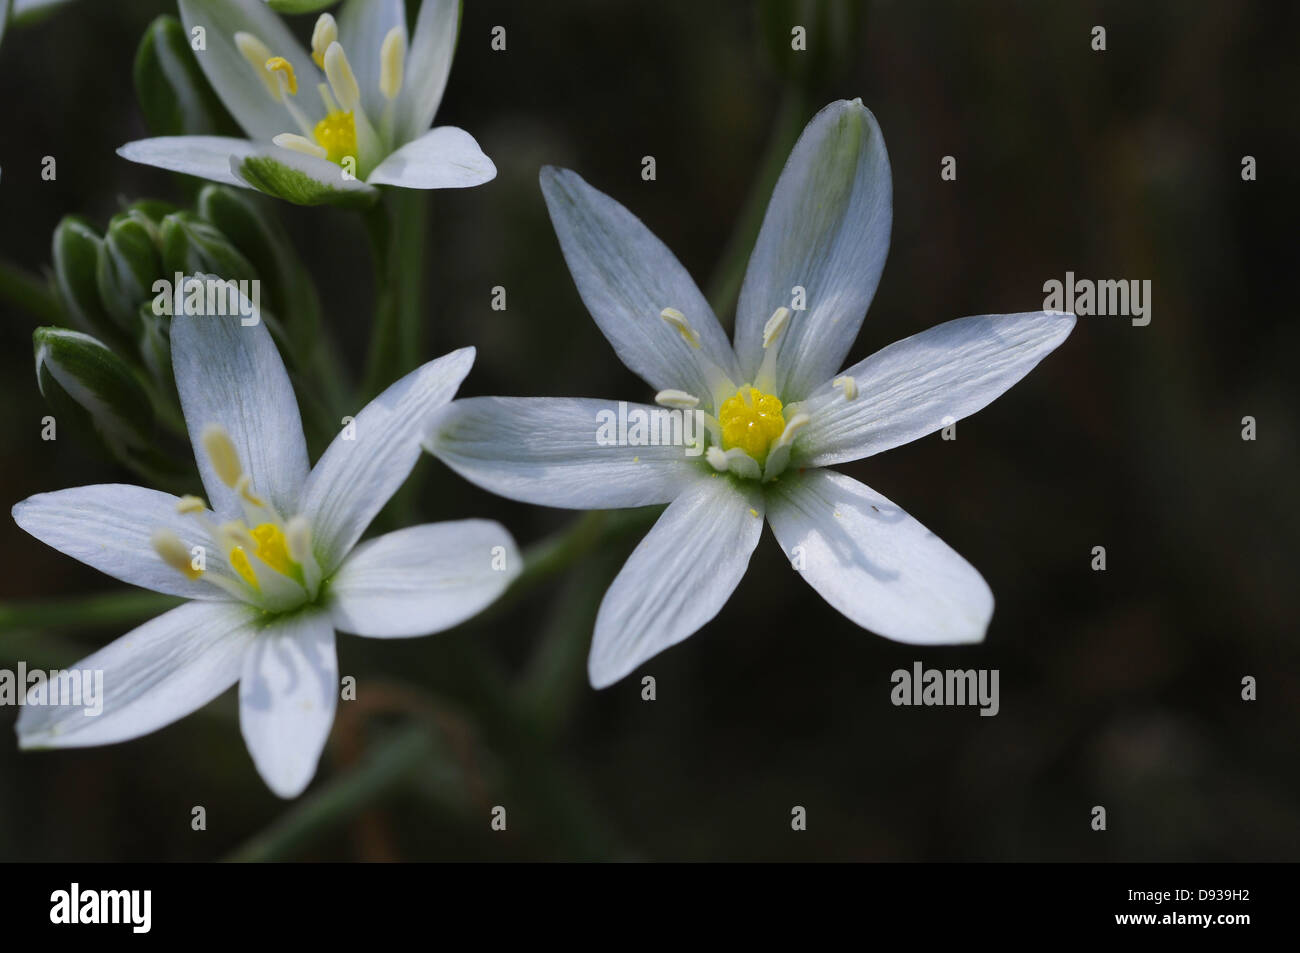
(775, 408)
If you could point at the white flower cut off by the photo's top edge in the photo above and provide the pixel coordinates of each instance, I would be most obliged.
(331, 124)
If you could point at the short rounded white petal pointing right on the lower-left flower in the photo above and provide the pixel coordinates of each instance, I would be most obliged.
(423, 579)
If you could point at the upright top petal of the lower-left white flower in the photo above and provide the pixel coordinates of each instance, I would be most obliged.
(233, 376)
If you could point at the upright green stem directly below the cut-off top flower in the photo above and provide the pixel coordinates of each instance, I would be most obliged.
(397, 229)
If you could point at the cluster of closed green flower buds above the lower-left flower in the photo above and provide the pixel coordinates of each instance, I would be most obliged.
(111, 370)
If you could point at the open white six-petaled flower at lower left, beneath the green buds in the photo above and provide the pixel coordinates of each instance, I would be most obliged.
(274, 569)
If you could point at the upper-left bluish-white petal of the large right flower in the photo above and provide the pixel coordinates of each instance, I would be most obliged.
(627, 278)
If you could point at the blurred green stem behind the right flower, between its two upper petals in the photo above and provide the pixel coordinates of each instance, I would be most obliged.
(725, 285)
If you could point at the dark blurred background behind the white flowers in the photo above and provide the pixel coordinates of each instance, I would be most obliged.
(1119, 688)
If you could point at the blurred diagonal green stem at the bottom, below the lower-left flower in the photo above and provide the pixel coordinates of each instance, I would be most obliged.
(388, 766)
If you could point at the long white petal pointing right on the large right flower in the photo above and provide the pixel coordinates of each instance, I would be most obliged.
(925, 383)
